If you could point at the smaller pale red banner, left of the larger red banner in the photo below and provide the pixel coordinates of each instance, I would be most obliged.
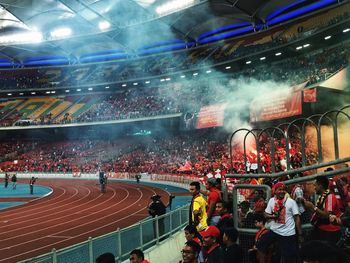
(211, 116)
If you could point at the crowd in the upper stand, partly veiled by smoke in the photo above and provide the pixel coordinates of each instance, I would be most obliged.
(141, 102)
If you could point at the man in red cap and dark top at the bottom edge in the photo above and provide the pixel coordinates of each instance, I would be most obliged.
(211, 238)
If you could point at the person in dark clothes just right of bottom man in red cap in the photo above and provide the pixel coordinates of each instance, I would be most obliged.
(232, 252)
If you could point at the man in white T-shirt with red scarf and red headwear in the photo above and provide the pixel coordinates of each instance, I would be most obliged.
(285, 226)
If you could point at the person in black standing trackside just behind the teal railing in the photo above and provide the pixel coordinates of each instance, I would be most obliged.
(157, 209)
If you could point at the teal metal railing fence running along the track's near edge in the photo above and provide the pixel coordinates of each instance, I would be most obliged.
(143, 235)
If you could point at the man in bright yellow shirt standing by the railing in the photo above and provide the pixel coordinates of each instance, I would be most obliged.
(198, 213)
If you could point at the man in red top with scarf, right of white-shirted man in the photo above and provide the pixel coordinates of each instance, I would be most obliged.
(326, 205)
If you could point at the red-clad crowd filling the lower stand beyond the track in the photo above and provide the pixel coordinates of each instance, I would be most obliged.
(184, 153)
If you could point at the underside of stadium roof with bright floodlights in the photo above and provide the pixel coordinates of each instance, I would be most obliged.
(72, 28)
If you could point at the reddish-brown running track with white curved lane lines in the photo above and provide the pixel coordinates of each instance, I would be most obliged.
(74, 211)
